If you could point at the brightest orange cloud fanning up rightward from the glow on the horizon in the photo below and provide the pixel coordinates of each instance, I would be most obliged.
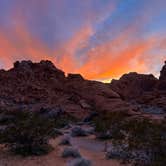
(111, 60)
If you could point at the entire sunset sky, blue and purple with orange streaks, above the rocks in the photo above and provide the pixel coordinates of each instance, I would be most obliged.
(100, 39)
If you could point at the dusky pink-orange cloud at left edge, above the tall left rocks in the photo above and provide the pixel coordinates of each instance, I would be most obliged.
(21, 45)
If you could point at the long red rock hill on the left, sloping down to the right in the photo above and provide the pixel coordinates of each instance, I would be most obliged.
(33, 86)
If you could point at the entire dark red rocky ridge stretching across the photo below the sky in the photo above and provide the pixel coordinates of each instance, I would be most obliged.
(33, 86)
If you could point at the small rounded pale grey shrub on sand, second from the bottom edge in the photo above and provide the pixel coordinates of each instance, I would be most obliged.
(70, 152)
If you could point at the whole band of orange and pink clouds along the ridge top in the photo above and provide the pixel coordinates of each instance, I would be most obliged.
(109, 60)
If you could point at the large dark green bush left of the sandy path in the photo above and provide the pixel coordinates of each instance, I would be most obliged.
(28, 133)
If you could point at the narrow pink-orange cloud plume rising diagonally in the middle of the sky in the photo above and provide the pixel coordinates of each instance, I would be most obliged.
(67, 52)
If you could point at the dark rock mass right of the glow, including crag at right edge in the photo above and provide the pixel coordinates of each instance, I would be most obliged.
(144, 89)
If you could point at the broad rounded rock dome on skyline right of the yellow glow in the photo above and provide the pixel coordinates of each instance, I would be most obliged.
(133, 85)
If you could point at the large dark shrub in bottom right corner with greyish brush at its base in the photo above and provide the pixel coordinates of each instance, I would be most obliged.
(145, 141)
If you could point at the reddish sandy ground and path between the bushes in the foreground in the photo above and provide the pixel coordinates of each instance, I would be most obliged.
(89, 147)
